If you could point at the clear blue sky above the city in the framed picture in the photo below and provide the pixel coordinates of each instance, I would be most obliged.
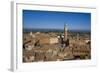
(56, 20)
